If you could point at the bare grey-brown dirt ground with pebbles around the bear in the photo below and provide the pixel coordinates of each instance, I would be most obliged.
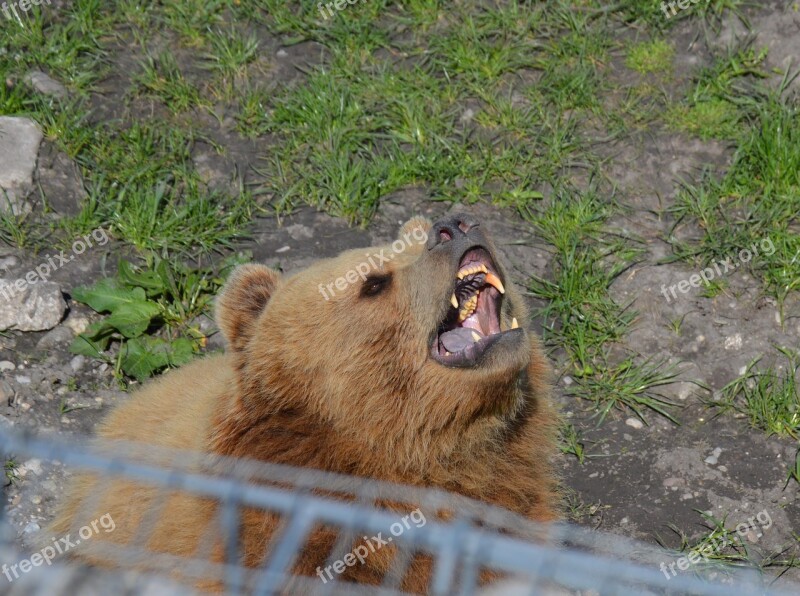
(637, 479)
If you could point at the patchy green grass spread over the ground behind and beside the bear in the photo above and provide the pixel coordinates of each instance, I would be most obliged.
(507, 103)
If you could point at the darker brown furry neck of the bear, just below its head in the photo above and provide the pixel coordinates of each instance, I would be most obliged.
(282, 430)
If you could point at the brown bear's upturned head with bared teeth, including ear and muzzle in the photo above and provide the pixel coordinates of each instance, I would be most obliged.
(414, 347)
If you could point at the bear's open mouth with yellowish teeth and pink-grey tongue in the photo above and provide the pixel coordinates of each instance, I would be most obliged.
(472, 323)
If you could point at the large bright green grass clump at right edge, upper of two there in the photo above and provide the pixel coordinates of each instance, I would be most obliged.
(757, 201)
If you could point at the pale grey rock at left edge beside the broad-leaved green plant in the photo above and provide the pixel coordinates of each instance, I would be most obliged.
(30, 307)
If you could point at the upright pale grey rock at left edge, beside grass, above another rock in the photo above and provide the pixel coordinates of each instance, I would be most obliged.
(19, 147)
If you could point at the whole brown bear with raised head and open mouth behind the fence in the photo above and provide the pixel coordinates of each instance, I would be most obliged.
(402, 364)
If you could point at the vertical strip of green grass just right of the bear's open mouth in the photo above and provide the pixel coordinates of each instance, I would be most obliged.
(580, 315)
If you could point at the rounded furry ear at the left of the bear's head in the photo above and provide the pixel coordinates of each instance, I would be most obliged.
(242, 300)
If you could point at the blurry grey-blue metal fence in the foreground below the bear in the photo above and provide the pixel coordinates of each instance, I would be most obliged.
(461, 536)
